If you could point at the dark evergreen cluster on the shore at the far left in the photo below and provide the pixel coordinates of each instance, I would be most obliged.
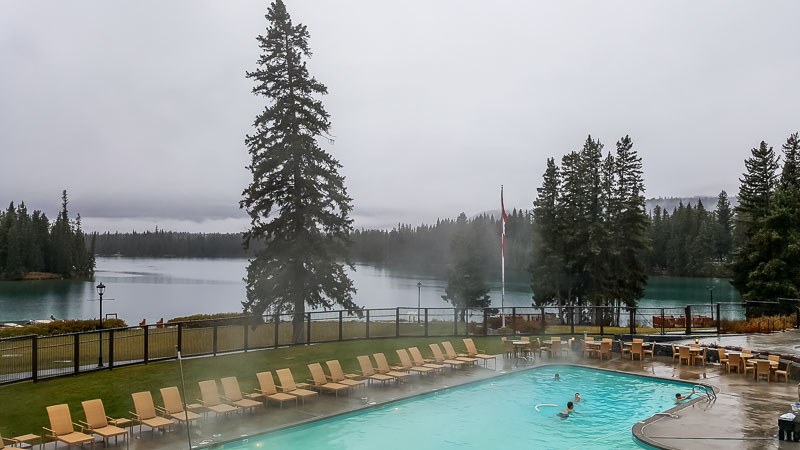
(30, 243)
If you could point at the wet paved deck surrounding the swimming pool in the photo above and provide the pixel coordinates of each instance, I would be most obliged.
(743, 416)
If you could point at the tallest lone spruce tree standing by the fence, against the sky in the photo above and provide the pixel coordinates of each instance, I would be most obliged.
(298, 205)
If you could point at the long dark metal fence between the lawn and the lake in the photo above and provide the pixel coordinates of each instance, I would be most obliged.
(39, 357)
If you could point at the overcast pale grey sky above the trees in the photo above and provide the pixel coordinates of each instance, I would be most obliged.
(139, 108)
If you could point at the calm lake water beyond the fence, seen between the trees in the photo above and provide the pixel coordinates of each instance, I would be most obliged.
(151, 288)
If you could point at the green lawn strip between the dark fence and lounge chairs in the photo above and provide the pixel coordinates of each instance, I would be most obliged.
(25, 402)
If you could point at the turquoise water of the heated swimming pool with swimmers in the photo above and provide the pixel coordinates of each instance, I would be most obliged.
(498, 413)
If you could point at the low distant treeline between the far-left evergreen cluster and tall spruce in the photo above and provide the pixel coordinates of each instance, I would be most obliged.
(160, 243)
